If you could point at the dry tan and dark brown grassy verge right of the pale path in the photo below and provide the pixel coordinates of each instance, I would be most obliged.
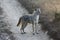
(48, 8)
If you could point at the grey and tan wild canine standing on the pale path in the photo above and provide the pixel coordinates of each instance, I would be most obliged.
(24, 20)
